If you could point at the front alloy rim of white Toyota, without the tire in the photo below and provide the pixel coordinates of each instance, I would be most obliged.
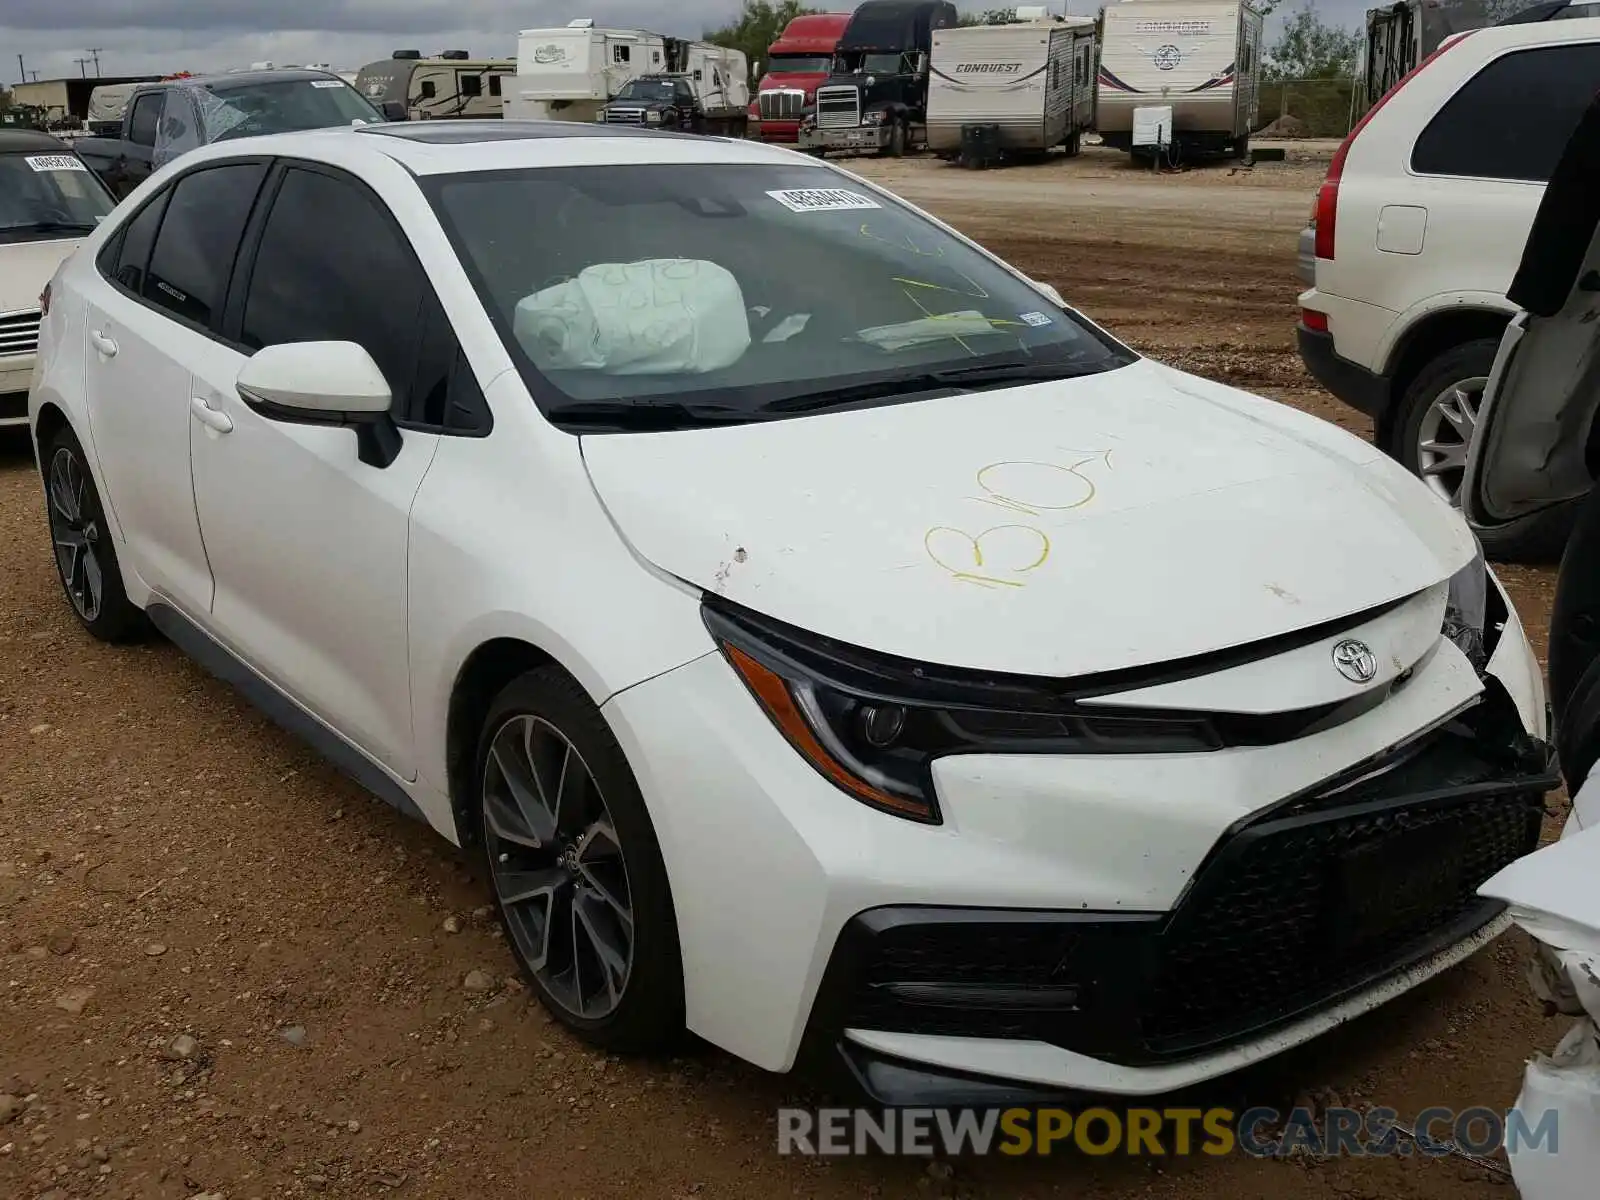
(558, 868)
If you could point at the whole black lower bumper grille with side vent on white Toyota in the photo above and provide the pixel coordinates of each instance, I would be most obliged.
(1318, 900)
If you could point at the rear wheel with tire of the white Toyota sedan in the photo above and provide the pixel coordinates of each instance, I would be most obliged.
(81, 538)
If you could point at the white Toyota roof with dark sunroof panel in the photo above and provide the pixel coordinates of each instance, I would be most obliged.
(455, 146)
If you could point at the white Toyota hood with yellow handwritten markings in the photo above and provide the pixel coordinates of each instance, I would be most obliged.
(1058, 529)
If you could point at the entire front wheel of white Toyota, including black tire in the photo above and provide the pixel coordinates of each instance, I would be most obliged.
(575, 866)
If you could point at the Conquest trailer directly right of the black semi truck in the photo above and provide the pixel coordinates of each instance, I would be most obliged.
(1034, 81)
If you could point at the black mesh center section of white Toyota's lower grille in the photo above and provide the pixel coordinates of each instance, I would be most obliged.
(1302, 911)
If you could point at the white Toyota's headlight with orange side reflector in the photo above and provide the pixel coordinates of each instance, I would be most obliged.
(874, 726)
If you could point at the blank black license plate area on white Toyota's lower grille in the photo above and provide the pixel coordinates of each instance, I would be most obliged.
(1383, 887)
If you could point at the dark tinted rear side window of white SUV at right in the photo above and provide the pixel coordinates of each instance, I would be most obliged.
(1513, 119)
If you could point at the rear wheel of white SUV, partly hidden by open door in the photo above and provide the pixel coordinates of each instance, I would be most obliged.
(1433, 431)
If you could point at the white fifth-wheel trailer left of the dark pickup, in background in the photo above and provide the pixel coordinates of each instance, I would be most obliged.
(572, 71)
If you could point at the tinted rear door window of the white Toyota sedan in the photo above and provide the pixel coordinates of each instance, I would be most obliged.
(199, 239)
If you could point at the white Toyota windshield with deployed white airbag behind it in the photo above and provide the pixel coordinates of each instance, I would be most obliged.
(746, 289)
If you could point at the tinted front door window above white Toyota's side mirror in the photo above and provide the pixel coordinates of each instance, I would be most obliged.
(334, 268)
